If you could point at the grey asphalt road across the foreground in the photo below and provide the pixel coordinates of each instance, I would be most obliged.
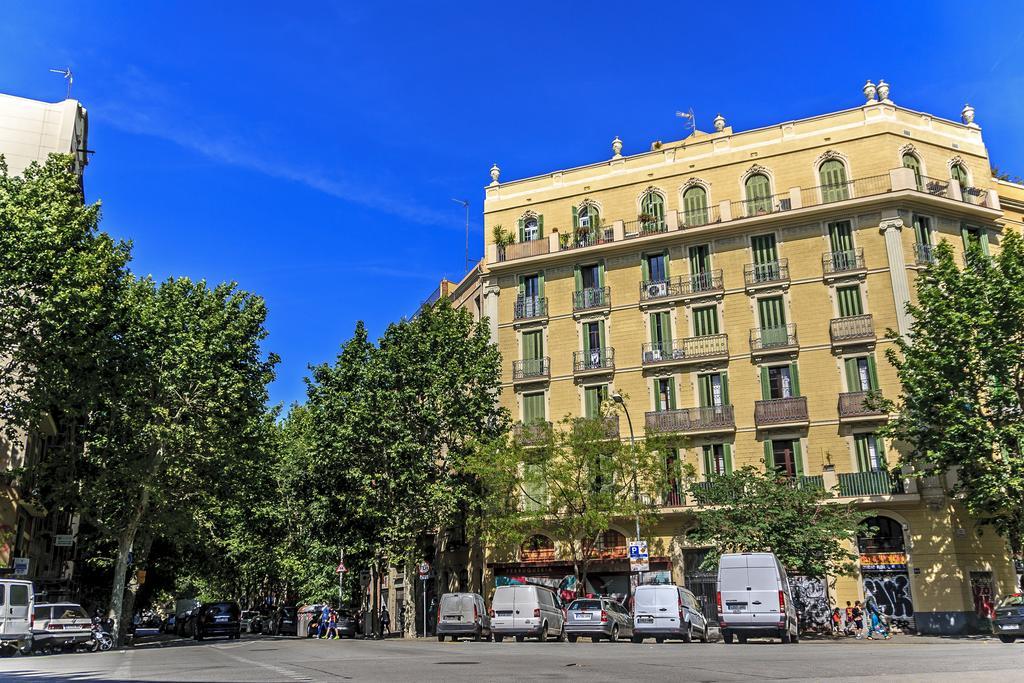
(291, 660)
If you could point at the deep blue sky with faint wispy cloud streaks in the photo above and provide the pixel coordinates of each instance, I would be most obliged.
(311, 151)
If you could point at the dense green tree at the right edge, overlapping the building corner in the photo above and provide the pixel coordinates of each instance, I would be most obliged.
(962, 371)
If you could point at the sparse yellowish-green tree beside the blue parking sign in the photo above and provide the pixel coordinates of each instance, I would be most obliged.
(572, 484)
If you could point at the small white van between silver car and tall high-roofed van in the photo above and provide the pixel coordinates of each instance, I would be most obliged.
(663, 612)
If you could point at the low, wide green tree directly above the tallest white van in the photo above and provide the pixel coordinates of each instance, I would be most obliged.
(753, 511)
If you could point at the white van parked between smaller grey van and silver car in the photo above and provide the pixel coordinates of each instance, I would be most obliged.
(527, 611)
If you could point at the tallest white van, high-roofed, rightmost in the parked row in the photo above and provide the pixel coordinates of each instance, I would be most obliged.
(754, 599)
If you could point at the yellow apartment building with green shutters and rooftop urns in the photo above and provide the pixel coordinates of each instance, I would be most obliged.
(737, 288)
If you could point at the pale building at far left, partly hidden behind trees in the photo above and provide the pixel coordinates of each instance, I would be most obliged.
(35, 542)
